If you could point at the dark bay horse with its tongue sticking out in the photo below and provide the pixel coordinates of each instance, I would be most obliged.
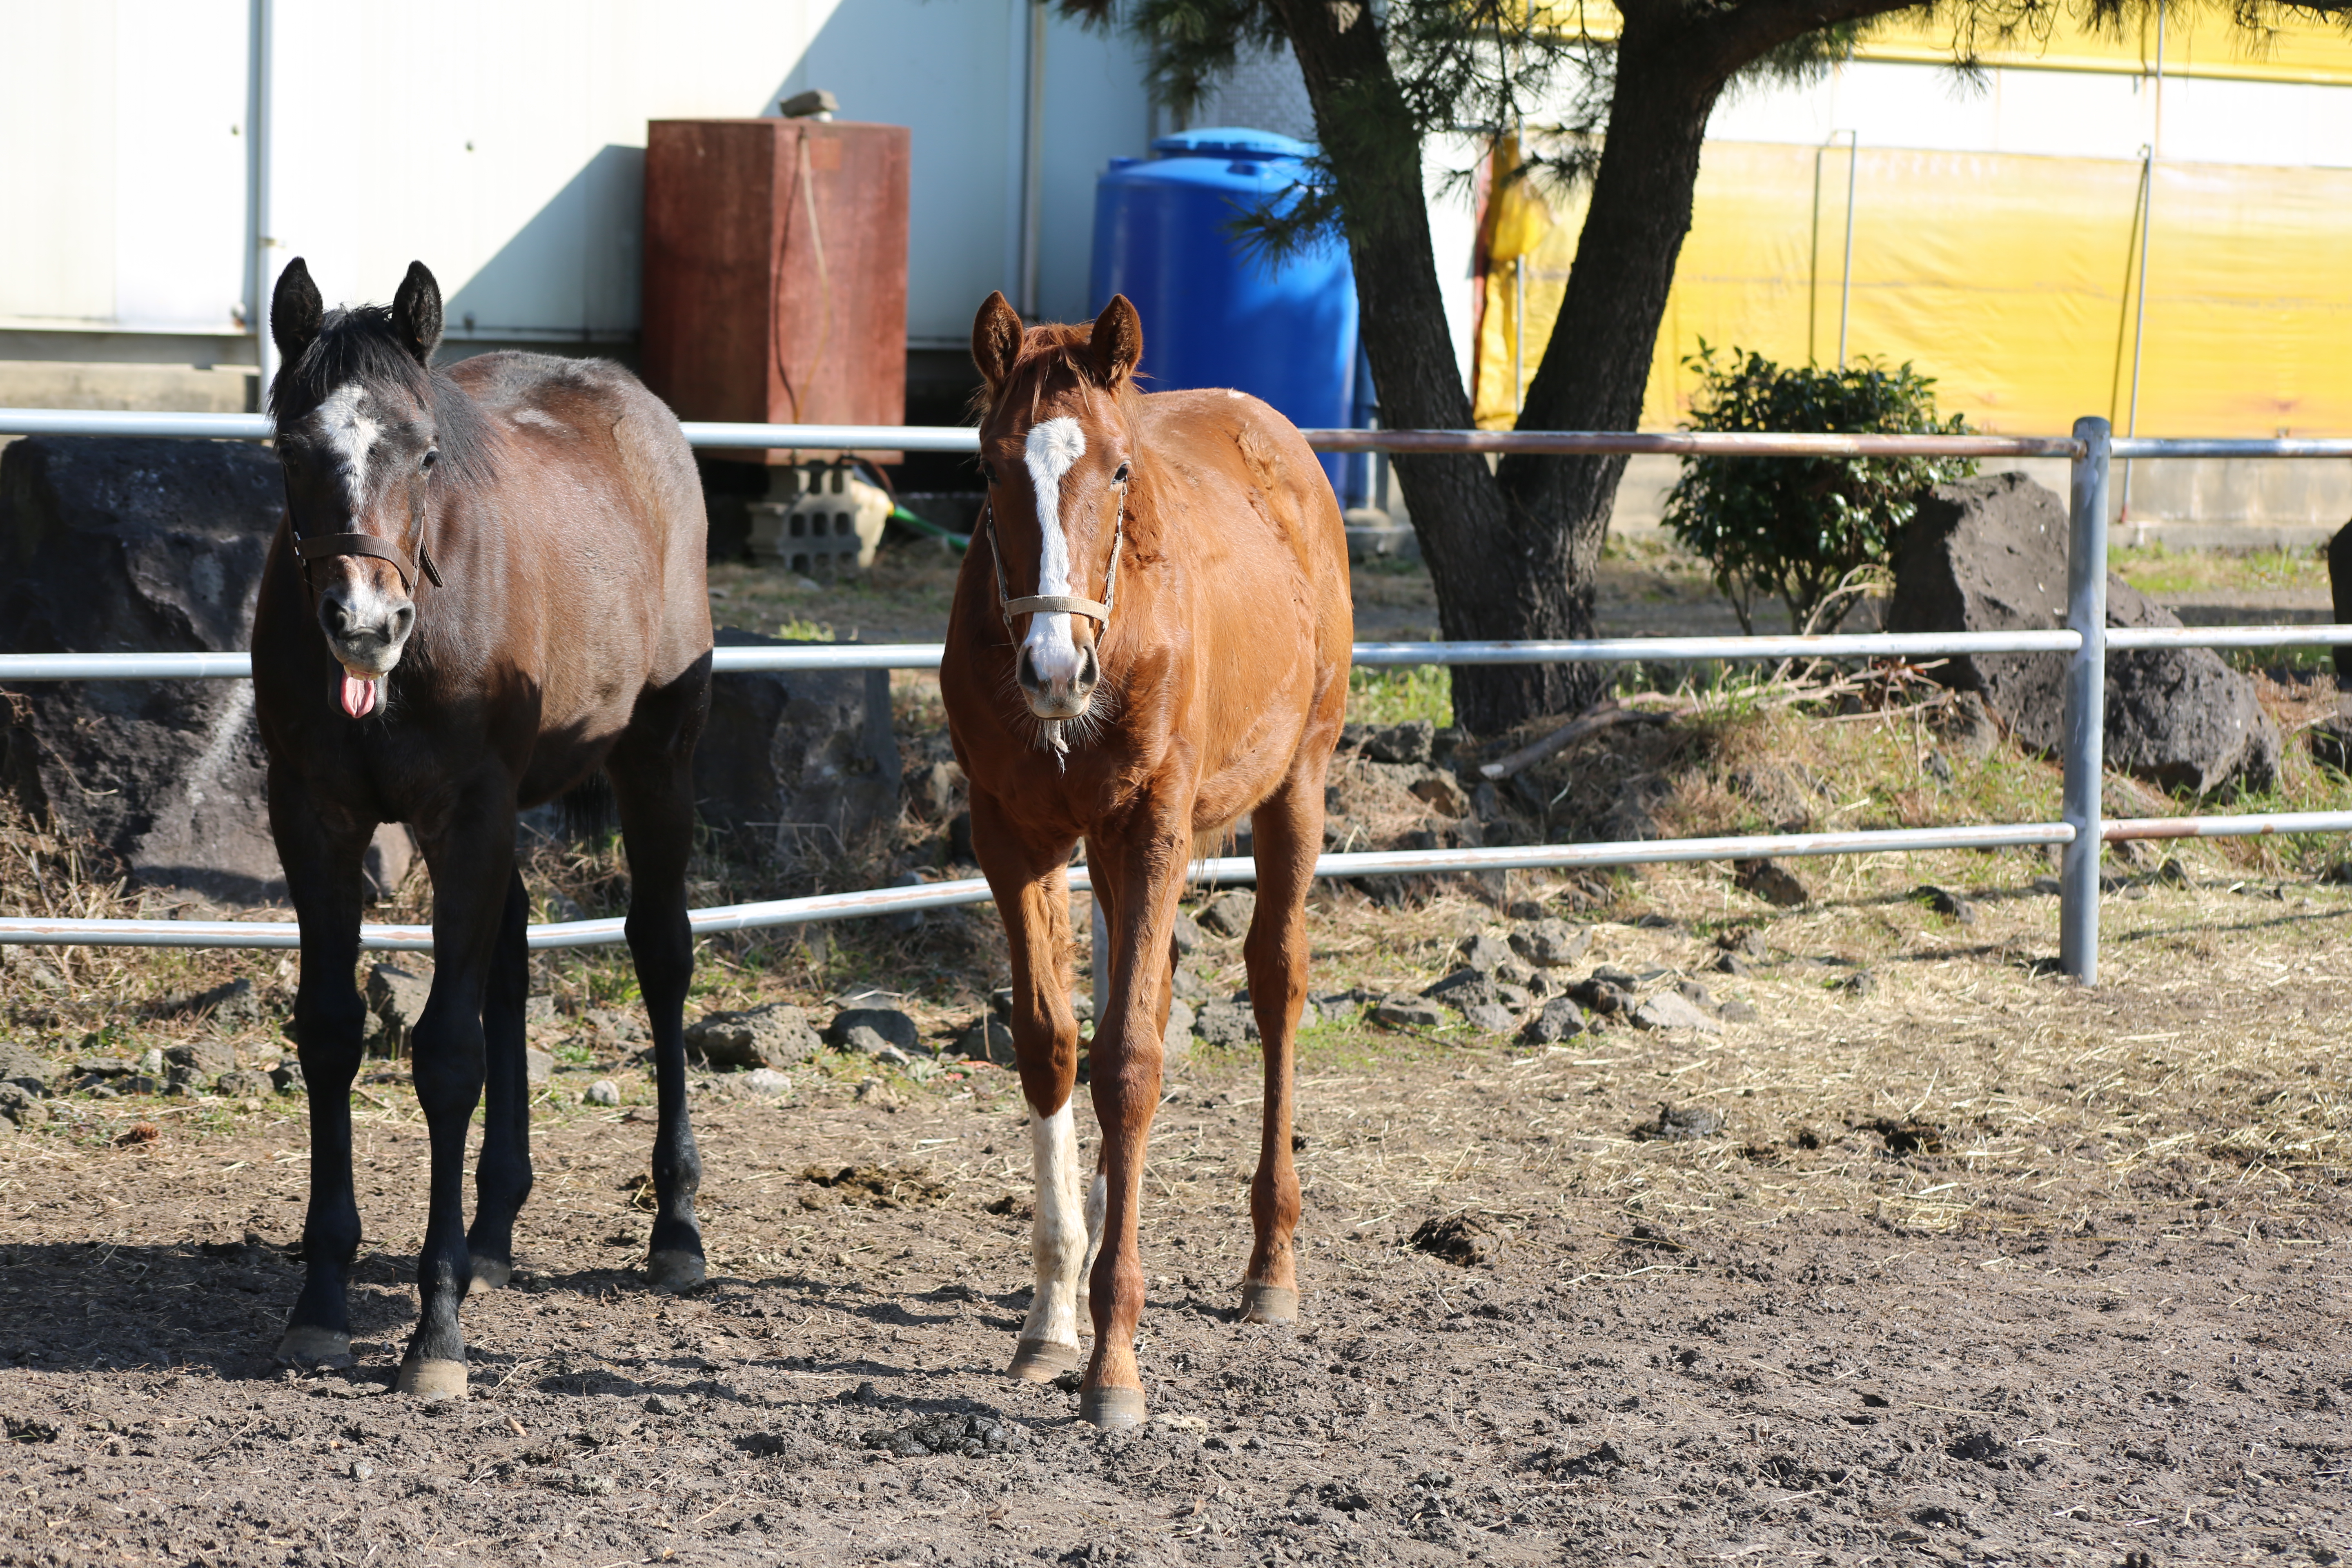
(488, 584)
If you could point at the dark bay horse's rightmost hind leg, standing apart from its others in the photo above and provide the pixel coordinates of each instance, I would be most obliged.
(653, 779)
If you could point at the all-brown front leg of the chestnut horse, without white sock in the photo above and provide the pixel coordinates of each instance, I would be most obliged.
(1142, 866)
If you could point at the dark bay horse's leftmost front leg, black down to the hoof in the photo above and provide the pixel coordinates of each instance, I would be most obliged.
(321, 850)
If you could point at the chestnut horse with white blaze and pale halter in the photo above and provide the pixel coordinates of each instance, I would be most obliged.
(1149, 645)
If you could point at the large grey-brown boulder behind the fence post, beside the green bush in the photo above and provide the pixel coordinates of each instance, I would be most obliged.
(1989, 556)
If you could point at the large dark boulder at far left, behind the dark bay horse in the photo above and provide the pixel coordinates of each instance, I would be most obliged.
(145, 547)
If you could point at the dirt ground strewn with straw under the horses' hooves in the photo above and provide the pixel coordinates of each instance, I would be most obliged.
(1951, 1266)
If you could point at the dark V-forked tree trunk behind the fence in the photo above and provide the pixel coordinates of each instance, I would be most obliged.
(1511, 551)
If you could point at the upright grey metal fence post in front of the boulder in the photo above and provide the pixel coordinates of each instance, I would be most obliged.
(2085, 702)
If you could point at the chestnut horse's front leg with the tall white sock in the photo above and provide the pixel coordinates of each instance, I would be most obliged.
(1034, 899)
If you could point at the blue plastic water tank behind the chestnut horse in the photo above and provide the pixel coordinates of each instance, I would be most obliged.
(1217, 314)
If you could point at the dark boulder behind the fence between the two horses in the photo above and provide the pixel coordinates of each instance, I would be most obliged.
(799, 763)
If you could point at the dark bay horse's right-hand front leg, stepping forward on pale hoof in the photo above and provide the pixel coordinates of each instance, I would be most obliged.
(474, 859)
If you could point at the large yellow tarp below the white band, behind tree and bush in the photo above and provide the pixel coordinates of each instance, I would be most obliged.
(2007, 279)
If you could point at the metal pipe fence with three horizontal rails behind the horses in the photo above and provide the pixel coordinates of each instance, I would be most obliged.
(2085, 641)
